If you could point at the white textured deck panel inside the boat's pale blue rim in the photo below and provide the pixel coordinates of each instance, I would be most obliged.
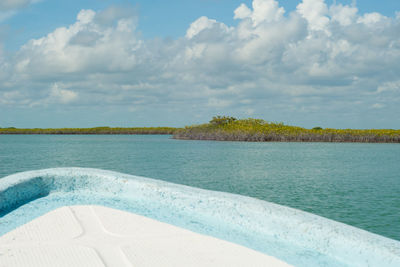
(99, 236)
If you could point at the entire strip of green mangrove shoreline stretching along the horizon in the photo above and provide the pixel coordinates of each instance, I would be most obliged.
(232, 129)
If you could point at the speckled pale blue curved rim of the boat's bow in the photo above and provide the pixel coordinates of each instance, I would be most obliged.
(297, 237)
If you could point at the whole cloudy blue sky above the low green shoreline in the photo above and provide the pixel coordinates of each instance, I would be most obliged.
(87, 63)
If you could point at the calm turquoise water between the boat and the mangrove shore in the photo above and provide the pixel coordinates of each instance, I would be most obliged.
(358, 184)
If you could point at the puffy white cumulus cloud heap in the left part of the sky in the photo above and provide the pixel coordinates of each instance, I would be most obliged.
(83, 46)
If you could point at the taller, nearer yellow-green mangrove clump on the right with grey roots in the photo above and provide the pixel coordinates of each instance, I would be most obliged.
(224, 128)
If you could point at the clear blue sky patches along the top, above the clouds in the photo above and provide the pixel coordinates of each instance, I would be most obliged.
(157, 18)
